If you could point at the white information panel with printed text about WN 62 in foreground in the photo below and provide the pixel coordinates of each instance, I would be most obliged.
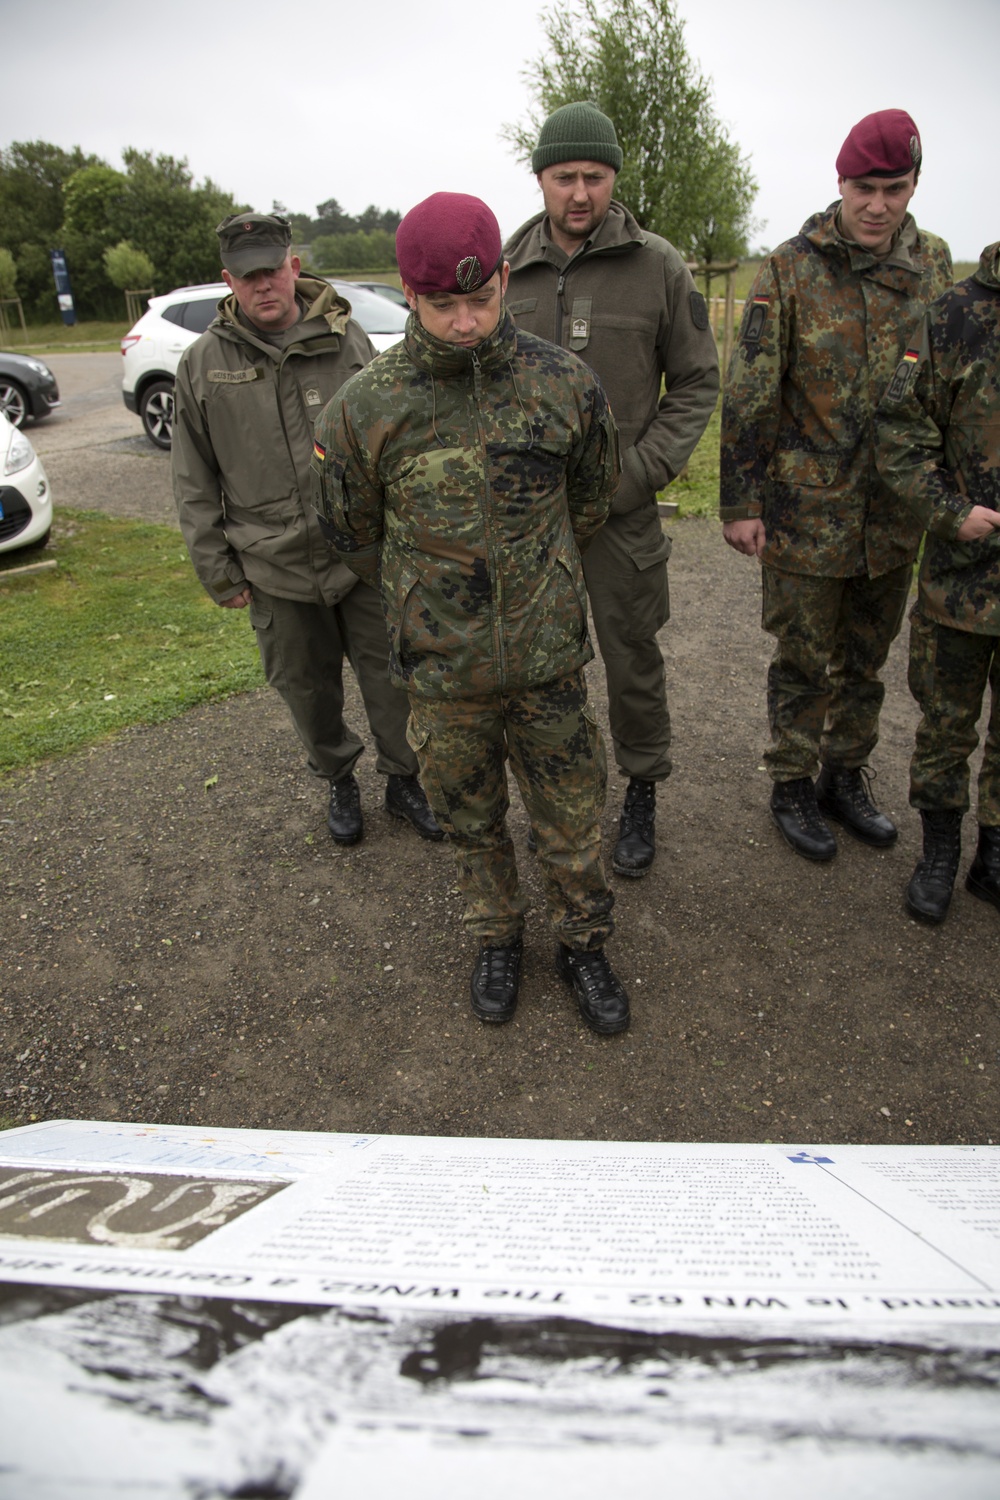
(190, 1313)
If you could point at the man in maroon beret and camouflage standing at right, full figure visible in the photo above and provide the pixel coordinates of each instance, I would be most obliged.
(824, 329)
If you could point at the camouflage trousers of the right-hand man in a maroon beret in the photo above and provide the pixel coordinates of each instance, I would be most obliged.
(824, 686)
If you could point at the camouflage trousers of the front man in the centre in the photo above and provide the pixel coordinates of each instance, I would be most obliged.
(557, 752)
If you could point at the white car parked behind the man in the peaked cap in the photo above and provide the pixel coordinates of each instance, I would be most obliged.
(152, 349)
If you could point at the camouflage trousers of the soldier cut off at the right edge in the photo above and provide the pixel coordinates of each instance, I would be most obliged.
(950, 673)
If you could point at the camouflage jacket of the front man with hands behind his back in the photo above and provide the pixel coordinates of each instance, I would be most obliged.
(466, 482)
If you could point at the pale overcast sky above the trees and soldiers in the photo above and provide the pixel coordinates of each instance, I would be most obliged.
(389, 103)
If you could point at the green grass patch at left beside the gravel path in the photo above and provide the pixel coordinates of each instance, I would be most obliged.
(119, 634)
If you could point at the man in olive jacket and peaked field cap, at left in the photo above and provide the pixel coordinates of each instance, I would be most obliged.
(247, 398)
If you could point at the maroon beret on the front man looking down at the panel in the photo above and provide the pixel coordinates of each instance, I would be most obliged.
(449, 242)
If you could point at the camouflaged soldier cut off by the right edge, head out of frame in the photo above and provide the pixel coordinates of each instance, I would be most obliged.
(939, 448)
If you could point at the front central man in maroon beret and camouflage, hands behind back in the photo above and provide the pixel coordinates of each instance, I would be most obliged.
(463, 473)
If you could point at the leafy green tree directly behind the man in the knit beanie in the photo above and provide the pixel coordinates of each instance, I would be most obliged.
(683, 176)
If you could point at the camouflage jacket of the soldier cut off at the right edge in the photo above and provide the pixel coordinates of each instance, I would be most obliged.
(939, 446)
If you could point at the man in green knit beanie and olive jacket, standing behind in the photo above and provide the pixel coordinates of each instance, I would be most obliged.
(585, 275)
